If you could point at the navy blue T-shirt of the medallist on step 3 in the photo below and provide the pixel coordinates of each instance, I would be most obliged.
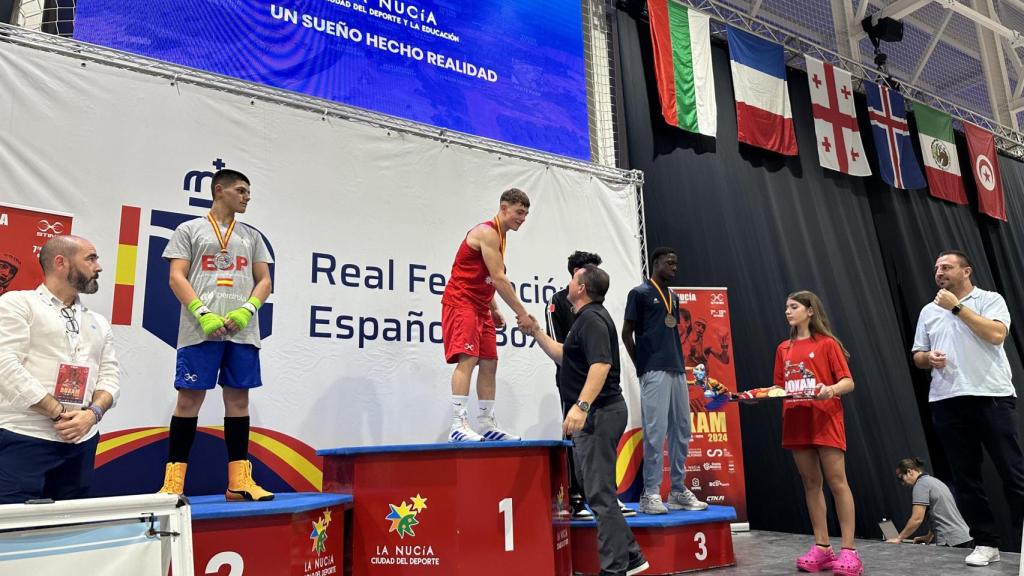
(659, 347)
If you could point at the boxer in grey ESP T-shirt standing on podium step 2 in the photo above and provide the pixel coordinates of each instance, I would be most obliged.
(221, 273)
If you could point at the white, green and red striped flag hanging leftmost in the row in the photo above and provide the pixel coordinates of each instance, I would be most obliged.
(682, 65)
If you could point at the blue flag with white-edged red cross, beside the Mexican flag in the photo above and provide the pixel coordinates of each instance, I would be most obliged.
(898, 166)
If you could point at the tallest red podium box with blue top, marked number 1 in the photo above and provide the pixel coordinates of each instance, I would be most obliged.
(456, 510)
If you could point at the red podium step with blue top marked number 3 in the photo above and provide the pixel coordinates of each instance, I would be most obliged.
(673, 544)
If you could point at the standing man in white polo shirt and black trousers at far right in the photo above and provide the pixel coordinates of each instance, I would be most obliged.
(960, 338)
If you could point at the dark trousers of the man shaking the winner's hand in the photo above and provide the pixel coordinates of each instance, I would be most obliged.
(595, 459)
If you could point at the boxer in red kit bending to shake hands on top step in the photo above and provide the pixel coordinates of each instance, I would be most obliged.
(471, 318)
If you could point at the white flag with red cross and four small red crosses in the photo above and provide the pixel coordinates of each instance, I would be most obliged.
(836, 127)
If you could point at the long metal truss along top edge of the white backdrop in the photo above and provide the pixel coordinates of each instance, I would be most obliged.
(325, 109)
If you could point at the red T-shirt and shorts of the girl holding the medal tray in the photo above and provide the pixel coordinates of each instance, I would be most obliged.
(803, 364)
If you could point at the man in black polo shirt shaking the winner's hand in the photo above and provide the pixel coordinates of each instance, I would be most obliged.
(589, 381)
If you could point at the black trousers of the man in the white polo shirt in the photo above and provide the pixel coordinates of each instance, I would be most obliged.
(965, 425)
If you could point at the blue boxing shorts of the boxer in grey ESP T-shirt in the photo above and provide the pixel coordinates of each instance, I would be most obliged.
(199, 365)
